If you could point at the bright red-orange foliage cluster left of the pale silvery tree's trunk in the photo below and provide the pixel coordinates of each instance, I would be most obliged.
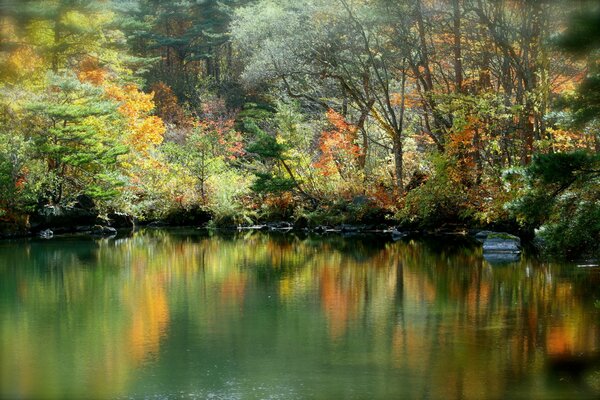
(337, 146)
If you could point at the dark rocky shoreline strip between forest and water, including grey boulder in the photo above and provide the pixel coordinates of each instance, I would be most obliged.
(82, 217)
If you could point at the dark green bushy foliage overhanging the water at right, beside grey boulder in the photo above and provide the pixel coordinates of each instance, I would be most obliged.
(562, 197)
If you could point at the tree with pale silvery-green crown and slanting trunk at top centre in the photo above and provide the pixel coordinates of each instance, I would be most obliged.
(348, 59)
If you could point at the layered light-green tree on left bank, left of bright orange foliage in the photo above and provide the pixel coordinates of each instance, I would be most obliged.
(72, 138)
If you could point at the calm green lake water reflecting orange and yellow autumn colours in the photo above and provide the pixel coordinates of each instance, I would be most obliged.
(180, 314)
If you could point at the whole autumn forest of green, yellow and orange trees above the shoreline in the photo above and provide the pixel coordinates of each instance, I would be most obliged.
(422, 114)
